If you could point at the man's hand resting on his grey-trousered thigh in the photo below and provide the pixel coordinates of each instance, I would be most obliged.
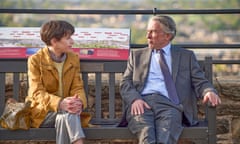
(138, 107)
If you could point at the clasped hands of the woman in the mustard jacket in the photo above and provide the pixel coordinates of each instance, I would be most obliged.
(71, 104)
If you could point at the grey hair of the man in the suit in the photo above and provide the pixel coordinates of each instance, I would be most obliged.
(168, 24)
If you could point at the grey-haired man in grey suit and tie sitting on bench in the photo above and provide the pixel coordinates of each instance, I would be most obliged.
(151, 112)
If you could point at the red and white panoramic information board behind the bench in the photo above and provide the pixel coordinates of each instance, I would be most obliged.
(89, 43)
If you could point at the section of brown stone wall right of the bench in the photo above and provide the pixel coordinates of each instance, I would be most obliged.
(228, 113)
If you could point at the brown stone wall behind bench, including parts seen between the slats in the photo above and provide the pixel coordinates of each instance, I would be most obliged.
(228, 113)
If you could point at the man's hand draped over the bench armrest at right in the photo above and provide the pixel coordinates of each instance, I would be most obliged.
(213, 98)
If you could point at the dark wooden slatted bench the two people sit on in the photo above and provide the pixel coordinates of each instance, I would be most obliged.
(105, 127)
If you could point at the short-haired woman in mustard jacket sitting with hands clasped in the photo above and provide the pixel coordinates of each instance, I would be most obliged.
(55, 87)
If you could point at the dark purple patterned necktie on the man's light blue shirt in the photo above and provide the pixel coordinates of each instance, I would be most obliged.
(172, 93)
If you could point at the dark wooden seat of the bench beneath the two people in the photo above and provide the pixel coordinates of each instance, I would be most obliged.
(97, 132)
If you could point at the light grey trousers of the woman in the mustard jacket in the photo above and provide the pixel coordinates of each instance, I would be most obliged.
(68, 126)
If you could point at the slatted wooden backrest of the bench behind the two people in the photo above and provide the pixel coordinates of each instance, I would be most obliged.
(101, 81)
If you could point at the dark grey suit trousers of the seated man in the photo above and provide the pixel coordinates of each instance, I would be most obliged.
(162, 124)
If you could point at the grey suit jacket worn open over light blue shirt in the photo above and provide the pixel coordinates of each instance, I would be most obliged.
(186, 72)
